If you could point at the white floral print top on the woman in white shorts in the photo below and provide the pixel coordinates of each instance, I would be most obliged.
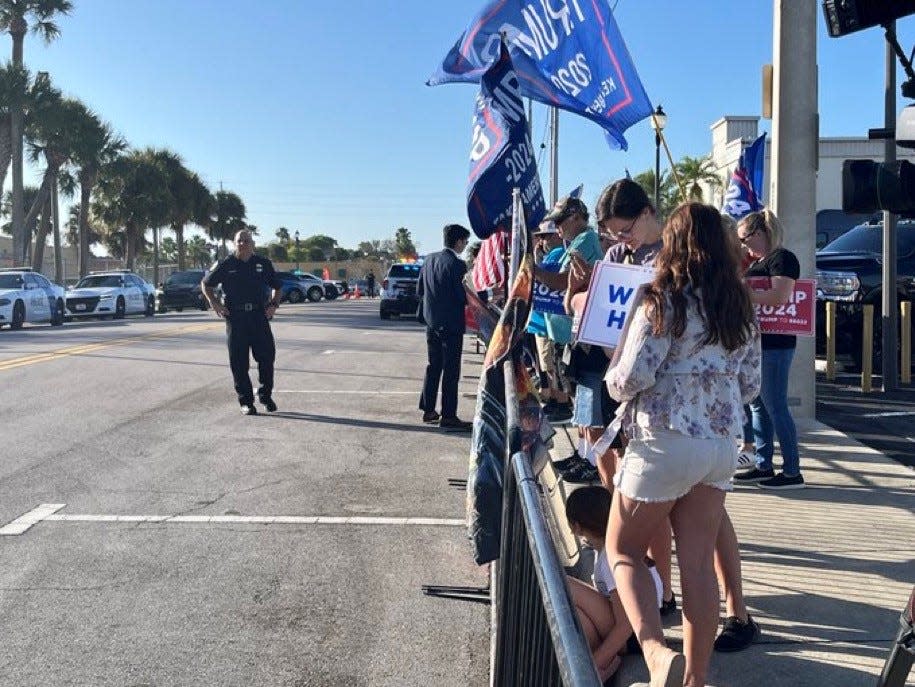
(681, 385)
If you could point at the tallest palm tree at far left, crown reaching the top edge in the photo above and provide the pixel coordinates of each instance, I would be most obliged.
(14, 19)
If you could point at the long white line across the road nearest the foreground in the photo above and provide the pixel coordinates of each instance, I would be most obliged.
(259, 519)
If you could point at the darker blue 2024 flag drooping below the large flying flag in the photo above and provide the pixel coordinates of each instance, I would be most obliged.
(501, 155)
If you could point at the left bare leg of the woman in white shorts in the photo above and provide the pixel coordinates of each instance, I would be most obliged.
(631, 526)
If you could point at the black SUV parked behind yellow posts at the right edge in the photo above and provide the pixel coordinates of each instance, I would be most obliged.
(850, 272)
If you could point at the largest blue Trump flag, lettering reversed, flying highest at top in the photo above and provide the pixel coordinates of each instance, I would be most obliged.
(568, 54)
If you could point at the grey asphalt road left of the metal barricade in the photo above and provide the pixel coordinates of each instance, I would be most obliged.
(138, 418)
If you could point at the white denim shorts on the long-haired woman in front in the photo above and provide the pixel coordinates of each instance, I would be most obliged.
(665, 465)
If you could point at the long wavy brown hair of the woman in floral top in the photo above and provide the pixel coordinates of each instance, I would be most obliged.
(698, 256)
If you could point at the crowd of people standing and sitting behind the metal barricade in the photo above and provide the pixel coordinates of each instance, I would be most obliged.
(691, 405)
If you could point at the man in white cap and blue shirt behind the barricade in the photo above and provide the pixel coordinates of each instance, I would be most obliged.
(548, 244)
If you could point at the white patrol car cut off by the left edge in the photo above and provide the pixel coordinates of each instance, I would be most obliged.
(27, 296)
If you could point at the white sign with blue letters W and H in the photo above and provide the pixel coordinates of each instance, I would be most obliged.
(611, 297)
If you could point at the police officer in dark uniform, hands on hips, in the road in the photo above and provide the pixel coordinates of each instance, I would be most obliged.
(246, 280)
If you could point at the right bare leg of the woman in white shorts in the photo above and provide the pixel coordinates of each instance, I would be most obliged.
(696, 518)
